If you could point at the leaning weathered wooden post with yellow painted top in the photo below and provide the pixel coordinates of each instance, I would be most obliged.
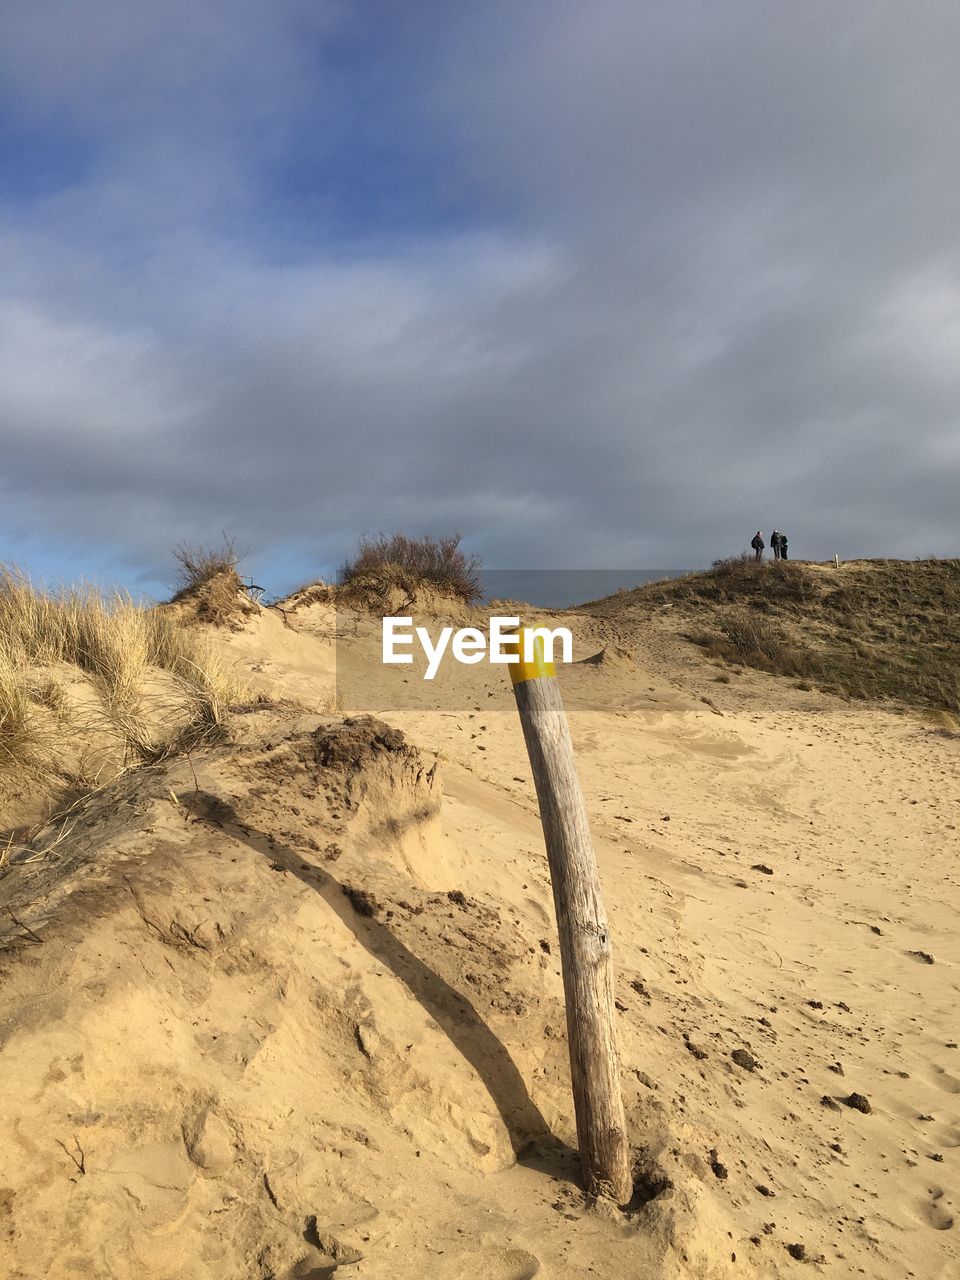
(587, 959)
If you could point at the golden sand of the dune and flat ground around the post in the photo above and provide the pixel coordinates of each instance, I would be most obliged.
(292, 1008)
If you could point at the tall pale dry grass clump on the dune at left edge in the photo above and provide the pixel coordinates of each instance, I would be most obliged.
(120, 647)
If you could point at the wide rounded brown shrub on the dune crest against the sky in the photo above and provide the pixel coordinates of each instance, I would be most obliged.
(409, 564)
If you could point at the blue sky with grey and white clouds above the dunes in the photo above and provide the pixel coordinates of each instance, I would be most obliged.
(600, 286)
